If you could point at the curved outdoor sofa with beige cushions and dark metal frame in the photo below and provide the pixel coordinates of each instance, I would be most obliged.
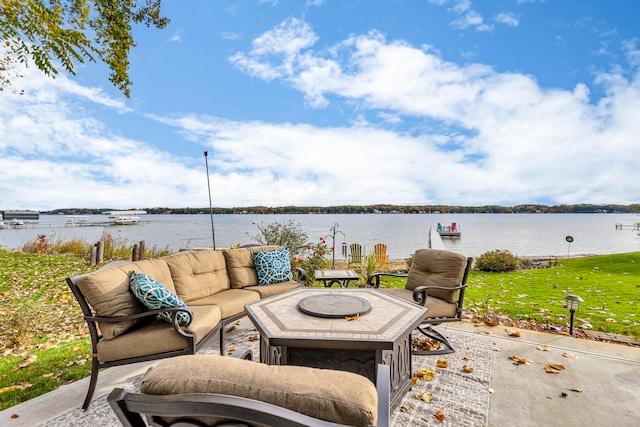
(213, 285)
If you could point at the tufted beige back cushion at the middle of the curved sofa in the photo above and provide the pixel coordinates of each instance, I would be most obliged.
(198, 274)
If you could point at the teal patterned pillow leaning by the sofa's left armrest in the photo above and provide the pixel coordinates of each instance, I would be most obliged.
(155, 295)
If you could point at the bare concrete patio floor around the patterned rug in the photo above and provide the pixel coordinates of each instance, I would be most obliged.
(600, 384)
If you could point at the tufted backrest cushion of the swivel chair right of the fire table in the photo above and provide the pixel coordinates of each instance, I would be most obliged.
(434, 267)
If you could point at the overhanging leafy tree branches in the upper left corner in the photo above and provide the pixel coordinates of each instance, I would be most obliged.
(65, 33)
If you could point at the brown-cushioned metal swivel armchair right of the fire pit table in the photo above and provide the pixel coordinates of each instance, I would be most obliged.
(437, 280)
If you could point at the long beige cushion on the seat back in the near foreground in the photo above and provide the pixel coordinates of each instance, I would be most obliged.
(336, 396)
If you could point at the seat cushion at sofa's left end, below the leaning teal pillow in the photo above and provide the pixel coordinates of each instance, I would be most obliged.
(158, 336)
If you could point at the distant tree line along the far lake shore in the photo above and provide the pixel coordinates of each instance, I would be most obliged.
(373, 209)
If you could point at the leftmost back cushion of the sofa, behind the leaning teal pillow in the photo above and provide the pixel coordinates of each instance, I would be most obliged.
(107, 291)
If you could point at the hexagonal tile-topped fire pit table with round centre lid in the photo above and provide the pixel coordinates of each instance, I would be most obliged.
(345, 329)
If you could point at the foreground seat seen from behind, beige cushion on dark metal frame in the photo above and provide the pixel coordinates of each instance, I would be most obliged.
(213, 390)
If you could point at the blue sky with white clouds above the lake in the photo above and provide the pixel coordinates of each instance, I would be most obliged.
(341, 102)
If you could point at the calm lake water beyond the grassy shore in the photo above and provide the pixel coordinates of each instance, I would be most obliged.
(521, 234)
